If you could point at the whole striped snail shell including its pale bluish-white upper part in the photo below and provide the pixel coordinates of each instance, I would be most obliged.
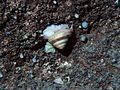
(58, 35)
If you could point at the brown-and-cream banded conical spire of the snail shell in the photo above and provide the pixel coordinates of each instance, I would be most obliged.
(59, 39)
